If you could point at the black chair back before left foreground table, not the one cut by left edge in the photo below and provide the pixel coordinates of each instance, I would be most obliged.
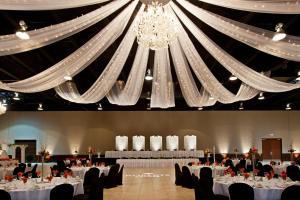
(62, 192)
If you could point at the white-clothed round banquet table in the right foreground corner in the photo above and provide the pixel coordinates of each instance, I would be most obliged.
(265, 189)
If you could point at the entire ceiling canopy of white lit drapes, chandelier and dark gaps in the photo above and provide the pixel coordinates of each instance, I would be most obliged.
(114, 49)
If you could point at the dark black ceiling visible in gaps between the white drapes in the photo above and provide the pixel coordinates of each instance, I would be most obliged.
(23, 65)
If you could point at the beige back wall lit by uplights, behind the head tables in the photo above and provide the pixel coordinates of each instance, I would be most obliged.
(63, 132)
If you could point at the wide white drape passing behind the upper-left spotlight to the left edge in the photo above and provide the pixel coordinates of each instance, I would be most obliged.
(11, 44)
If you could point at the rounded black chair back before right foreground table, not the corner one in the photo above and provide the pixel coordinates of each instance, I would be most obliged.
(241, 190)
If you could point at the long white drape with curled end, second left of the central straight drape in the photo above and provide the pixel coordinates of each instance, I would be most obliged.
(108, 77)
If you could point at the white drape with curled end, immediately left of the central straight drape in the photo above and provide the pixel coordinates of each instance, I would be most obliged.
(130, 94)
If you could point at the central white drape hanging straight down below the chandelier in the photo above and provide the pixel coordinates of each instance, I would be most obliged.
(162, 95)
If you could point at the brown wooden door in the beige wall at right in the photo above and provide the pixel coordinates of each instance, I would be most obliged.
(272, 148)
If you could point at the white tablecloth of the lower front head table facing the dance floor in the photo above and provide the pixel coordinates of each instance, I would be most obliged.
(153, 163)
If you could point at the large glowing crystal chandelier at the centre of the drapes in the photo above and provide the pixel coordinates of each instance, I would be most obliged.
(156, 28)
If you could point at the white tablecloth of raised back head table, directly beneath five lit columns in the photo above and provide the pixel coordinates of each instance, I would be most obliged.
(154, 154)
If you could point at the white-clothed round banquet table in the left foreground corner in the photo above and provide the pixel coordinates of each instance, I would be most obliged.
(33, 190)
